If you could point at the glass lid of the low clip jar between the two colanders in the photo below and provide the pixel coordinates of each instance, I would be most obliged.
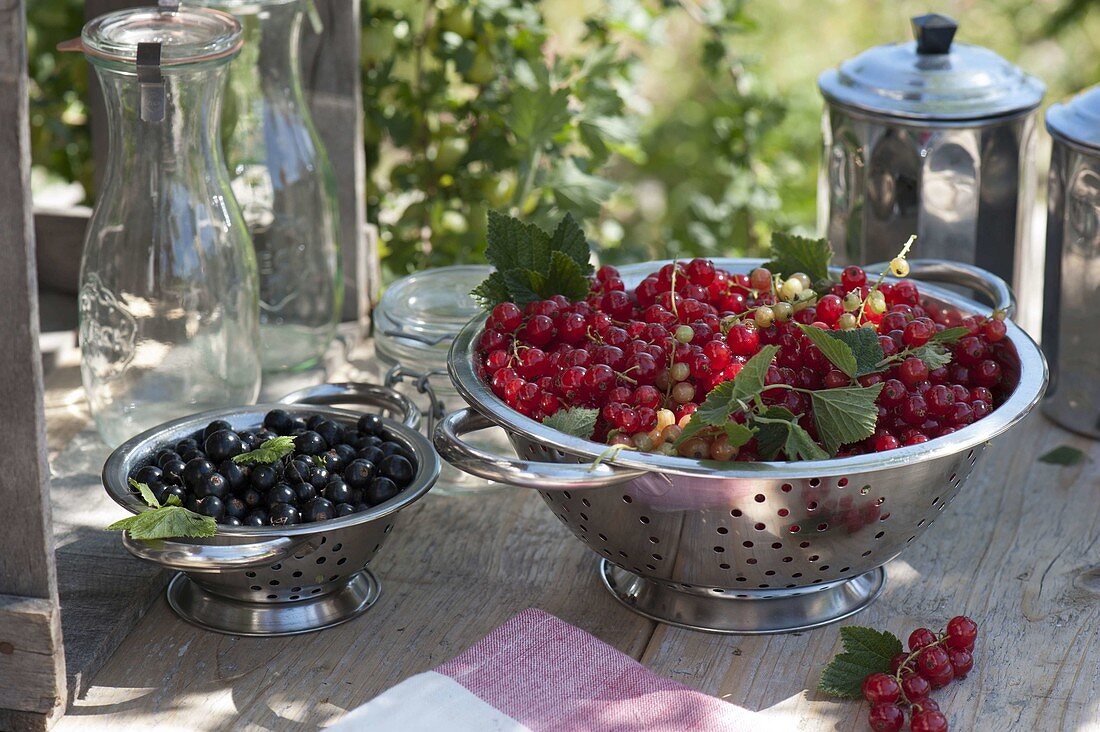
(419, 316)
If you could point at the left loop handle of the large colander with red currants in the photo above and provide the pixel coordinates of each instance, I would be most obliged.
(542, 476)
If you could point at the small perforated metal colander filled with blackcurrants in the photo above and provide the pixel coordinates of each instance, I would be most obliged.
(278, 581)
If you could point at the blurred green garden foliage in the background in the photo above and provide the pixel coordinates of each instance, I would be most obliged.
(670, 128)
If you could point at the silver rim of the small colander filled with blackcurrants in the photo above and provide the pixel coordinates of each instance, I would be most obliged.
(117, 468)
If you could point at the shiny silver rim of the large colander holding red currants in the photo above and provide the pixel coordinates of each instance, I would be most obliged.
(1032, 384)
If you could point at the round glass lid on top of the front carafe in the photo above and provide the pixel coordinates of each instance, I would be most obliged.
(186, 36)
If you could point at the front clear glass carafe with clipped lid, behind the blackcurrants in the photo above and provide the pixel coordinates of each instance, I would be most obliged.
(169, 289)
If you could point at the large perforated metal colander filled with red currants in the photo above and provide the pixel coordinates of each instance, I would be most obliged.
(762, 548)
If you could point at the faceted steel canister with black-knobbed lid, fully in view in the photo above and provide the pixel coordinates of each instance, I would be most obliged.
(932, 138)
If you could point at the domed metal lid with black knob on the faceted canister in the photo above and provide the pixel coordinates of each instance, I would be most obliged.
(932, 79)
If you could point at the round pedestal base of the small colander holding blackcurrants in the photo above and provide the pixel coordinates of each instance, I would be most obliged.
(215, 613)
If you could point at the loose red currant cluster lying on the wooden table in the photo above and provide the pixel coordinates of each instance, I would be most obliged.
(932, 663)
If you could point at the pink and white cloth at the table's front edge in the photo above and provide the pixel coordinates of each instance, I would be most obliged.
(540, 674)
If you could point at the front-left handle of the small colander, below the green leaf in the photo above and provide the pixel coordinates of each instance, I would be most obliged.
(222, 558)
